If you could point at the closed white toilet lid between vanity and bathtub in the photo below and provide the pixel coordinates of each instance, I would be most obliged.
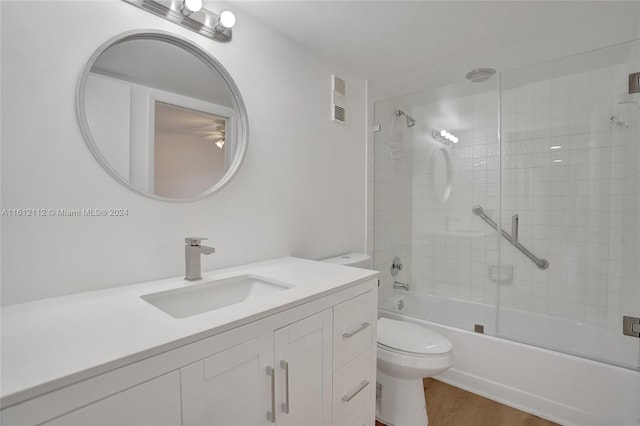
(409, 337)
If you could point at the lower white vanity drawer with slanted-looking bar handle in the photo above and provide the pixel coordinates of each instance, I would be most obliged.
(352, 387)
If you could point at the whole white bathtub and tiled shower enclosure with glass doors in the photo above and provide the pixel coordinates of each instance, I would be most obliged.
(507, 208)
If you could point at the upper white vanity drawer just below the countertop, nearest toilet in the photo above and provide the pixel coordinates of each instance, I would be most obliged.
(353, 322)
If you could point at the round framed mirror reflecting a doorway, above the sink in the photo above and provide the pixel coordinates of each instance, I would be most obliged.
(162, 116)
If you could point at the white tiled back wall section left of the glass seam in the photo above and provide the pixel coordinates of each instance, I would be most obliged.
(451, 246)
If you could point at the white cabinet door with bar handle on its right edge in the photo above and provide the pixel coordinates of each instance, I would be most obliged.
(230, 387)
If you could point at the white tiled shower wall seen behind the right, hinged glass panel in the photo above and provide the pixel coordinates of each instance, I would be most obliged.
(564, 176)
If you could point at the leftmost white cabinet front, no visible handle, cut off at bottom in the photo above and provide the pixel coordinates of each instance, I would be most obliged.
(154, 403)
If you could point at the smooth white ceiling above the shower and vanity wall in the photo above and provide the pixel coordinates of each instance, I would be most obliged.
(405, 46)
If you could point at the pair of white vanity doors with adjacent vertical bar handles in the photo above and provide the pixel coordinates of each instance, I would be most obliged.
(281, 377)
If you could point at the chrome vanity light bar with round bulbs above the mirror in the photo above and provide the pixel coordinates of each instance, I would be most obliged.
(191, 15)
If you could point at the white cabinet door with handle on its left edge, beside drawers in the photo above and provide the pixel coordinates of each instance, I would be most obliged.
(303, 361)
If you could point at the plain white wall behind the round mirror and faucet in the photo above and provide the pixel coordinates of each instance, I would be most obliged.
(300, 190)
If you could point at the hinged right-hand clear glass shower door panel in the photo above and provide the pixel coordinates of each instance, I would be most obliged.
(570, 172)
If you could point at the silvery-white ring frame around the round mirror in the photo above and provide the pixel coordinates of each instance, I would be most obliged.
(241, 138)
